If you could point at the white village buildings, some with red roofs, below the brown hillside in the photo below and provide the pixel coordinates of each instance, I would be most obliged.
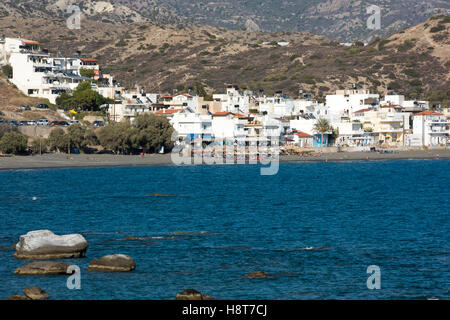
(358, 117)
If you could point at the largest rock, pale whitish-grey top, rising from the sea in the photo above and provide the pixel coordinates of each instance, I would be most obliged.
(44, 244)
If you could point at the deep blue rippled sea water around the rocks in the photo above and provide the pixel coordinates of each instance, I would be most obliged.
(315, 226)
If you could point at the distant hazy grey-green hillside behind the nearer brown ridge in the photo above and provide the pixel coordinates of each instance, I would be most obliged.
(343, 20)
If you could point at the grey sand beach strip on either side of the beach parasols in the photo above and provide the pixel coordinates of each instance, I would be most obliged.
(104, 160)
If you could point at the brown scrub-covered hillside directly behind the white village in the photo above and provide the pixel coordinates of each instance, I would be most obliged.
(414, 62)
